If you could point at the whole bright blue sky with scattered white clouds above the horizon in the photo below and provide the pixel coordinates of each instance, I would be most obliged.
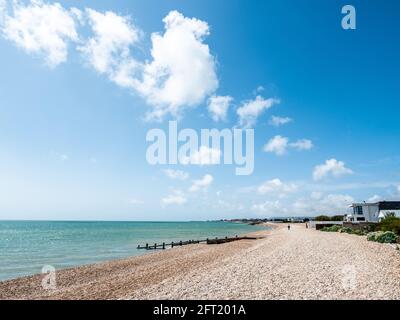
(75, 106)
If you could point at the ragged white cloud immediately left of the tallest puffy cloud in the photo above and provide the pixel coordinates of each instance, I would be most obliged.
(108, 51)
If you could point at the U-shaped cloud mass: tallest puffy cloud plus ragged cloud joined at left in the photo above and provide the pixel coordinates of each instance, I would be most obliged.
(182, 70)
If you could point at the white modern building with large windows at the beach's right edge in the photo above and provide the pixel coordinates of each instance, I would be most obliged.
(372, 212)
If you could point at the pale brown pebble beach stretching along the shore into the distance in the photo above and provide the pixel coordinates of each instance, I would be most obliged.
(296, 264)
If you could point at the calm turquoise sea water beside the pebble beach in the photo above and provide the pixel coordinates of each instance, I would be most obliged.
(26, 246)
